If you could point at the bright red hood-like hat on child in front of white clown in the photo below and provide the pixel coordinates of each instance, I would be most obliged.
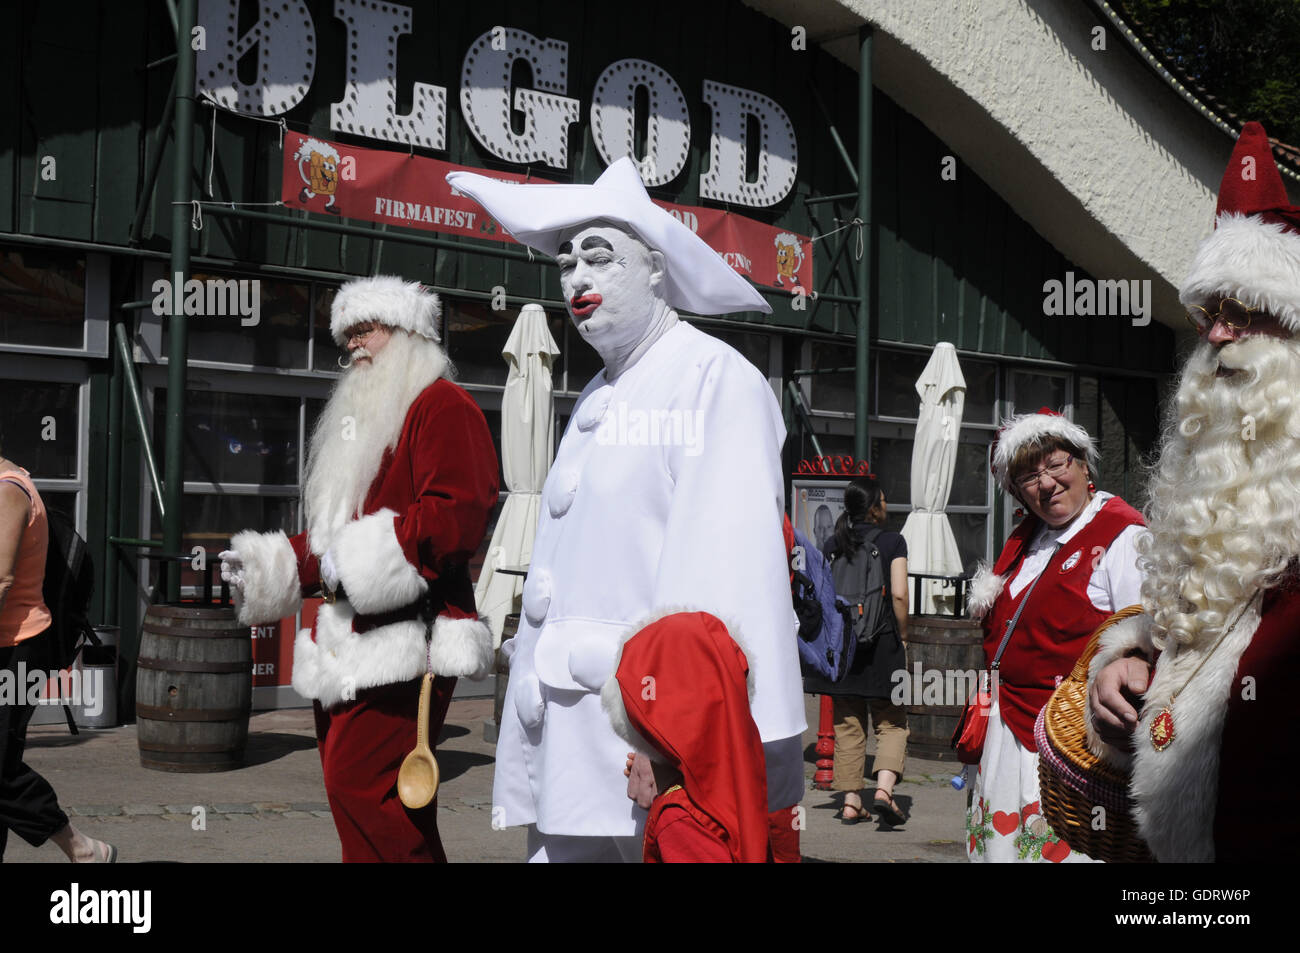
(681, 694)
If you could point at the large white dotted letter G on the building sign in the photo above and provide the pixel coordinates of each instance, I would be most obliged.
(548, 114)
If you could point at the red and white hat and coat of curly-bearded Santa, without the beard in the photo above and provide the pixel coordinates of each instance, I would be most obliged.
(1224, 789)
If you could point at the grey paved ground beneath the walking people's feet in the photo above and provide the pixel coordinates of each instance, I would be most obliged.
(275, 809)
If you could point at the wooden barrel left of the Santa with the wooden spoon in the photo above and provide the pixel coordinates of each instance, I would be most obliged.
(193, 690)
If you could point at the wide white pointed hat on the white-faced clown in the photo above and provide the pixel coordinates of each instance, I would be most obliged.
(540, 215)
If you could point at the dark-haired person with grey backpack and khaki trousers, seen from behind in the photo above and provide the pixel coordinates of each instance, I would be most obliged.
(869, 565)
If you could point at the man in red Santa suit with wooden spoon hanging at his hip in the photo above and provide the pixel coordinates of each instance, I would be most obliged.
(401, 480)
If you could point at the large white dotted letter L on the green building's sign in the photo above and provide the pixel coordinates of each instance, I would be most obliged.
(370, 103)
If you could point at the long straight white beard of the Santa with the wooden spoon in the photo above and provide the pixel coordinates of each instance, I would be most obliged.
(361, 422)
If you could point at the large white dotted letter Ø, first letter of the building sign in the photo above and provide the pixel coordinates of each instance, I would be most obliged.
(285, 37)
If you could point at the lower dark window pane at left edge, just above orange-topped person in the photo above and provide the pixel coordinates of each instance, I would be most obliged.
(40, 427)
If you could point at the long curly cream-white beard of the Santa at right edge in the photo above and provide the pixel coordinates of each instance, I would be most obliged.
(1225, 497)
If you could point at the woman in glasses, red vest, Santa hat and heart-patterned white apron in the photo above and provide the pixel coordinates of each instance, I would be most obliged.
(1067, 568)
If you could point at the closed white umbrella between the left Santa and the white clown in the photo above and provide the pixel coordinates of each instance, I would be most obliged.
(527, 449)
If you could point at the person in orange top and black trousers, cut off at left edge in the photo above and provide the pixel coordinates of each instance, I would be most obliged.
(28, 804)
